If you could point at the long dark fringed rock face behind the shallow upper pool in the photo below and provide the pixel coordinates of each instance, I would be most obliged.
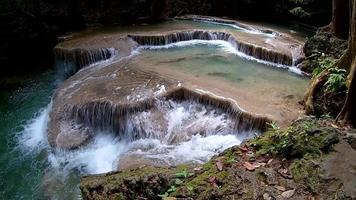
(246, 48)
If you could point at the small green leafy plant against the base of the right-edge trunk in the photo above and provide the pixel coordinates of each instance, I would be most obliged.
(336, 80)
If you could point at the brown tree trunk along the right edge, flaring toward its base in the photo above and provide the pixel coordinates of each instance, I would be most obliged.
(348, 112)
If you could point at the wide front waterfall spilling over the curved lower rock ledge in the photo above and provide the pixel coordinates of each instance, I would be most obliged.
(149, 118)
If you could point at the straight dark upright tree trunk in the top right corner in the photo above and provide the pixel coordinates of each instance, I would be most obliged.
(340, 21)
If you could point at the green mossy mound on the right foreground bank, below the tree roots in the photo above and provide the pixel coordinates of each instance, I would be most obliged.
(305, 136)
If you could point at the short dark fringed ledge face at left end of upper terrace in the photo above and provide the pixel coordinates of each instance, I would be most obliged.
(83, 57)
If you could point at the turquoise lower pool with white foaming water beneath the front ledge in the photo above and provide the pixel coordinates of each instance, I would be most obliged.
(30, 169)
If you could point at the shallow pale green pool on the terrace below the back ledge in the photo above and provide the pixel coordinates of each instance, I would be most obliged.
(217, 60)
